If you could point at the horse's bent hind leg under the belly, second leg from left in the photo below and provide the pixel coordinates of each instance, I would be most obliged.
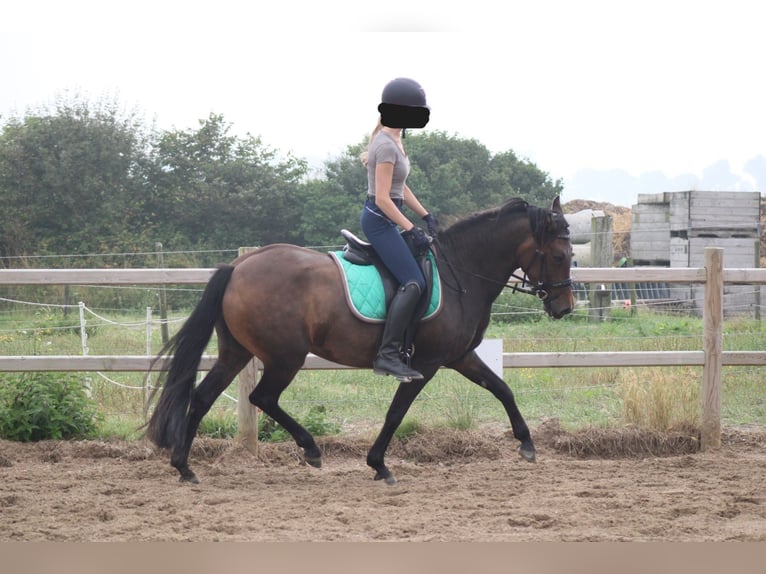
(266, 395)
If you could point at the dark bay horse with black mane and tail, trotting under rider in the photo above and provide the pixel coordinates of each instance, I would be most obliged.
(281, 302)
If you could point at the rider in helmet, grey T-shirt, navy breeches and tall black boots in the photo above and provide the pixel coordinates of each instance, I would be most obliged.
(403, 105)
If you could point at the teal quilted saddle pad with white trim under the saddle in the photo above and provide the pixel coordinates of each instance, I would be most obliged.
(366, 295)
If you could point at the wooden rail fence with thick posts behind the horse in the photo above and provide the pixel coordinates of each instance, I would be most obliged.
(711, 357)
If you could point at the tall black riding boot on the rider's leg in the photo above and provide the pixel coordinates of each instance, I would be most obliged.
(389, 361)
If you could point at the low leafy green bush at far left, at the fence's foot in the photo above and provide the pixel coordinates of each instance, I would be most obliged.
(41, 406)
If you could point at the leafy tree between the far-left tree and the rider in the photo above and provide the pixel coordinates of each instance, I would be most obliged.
(212, 189)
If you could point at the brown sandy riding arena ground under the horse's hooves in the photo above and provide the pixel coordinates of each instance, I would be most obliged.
(453, 486)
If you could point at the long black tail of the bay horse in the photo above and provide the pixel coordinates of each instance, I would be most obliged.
(168, 423)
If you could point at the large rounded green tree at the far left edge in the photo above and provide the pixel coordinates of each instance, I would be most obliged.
(71, 180)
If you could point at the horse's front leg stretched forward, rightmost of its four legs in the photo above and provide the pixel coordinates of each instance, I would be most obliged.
(477, 371)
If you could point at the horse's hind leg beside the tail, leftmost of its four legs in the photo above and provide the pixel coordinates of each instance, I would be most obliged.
(216, 381)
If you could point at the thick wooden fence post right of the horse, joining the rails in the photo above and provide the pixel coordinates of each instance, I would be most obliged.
(712, 342)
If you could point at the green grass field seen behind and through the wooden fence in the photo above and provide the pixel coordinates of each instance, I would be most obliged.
(357, 400)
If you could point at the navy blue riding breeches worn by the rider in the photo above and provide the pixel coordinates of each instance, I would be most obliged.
(389, 245)
